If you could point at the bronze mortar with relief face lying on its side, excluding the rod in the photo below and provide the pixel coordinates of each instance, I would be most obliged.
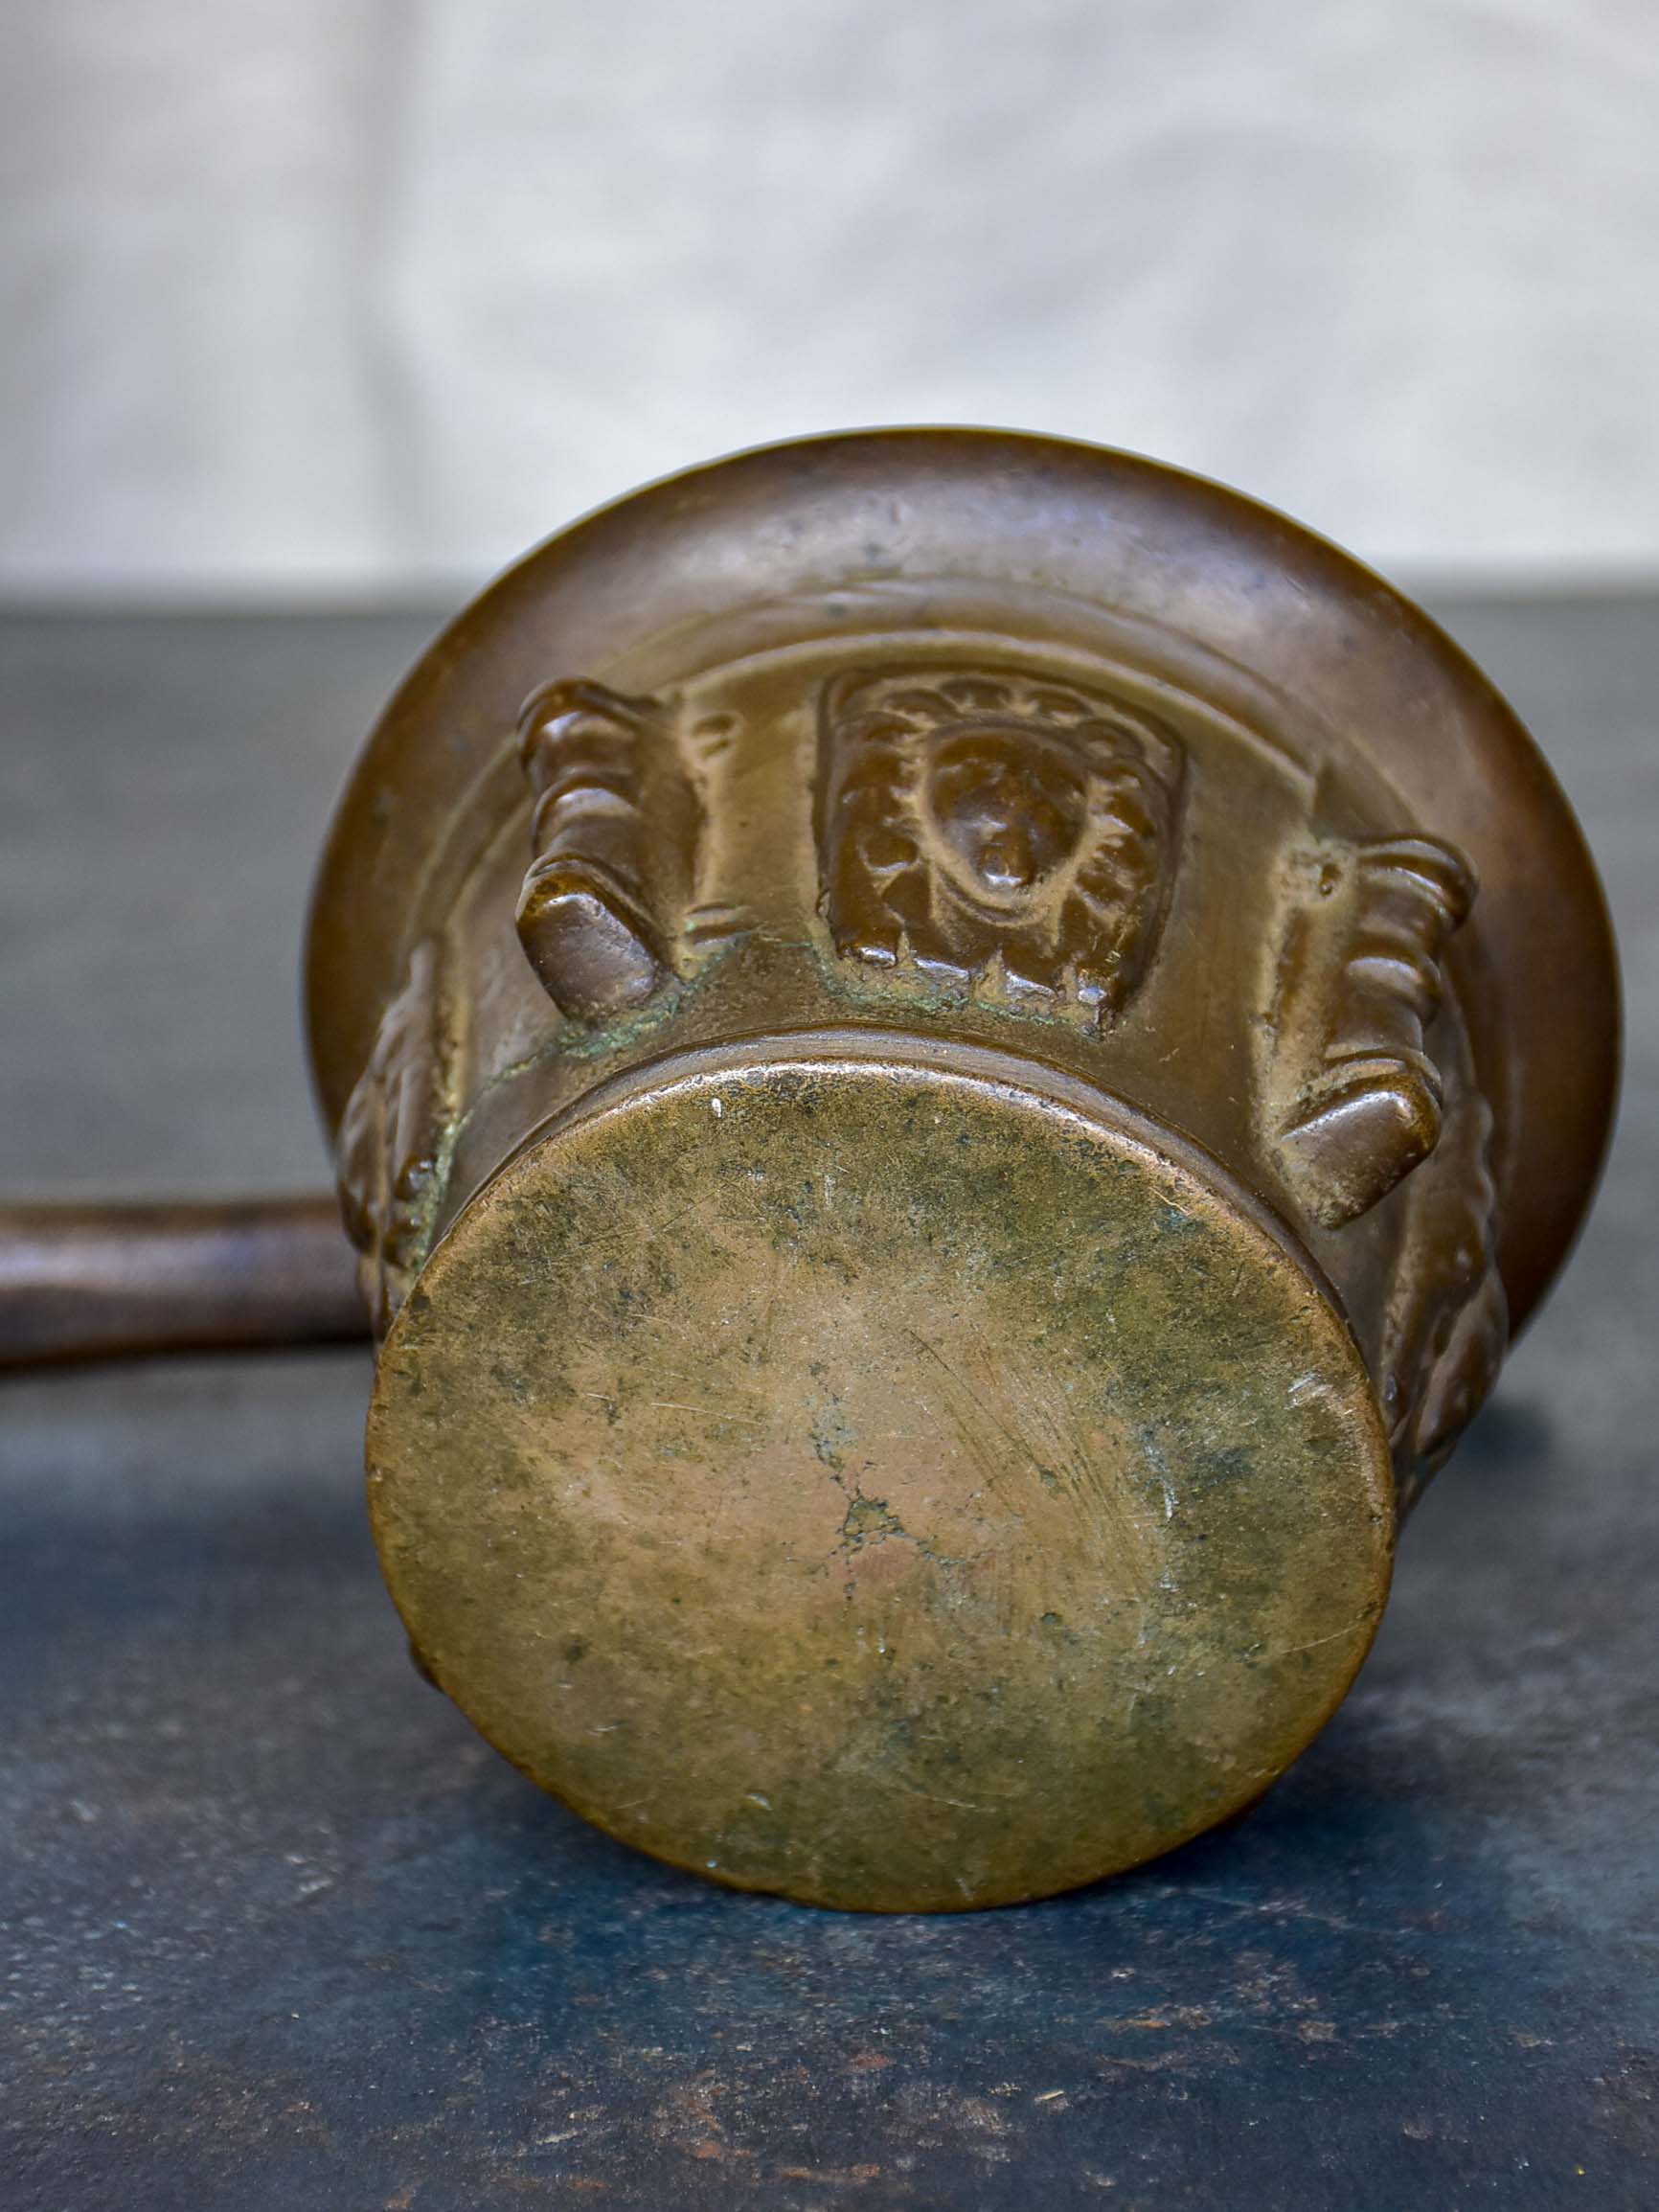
(952, 1061)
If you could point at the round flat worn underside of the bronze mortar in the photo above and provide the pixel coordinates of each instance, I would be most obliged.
(884, 1479)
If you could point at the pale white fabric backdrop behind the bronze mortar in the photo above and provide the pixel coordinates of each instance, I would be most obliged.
(311, 295)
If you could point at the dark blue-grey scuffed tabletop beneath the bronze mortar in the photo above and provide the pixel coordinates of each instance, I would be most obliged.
(286, 1937)
